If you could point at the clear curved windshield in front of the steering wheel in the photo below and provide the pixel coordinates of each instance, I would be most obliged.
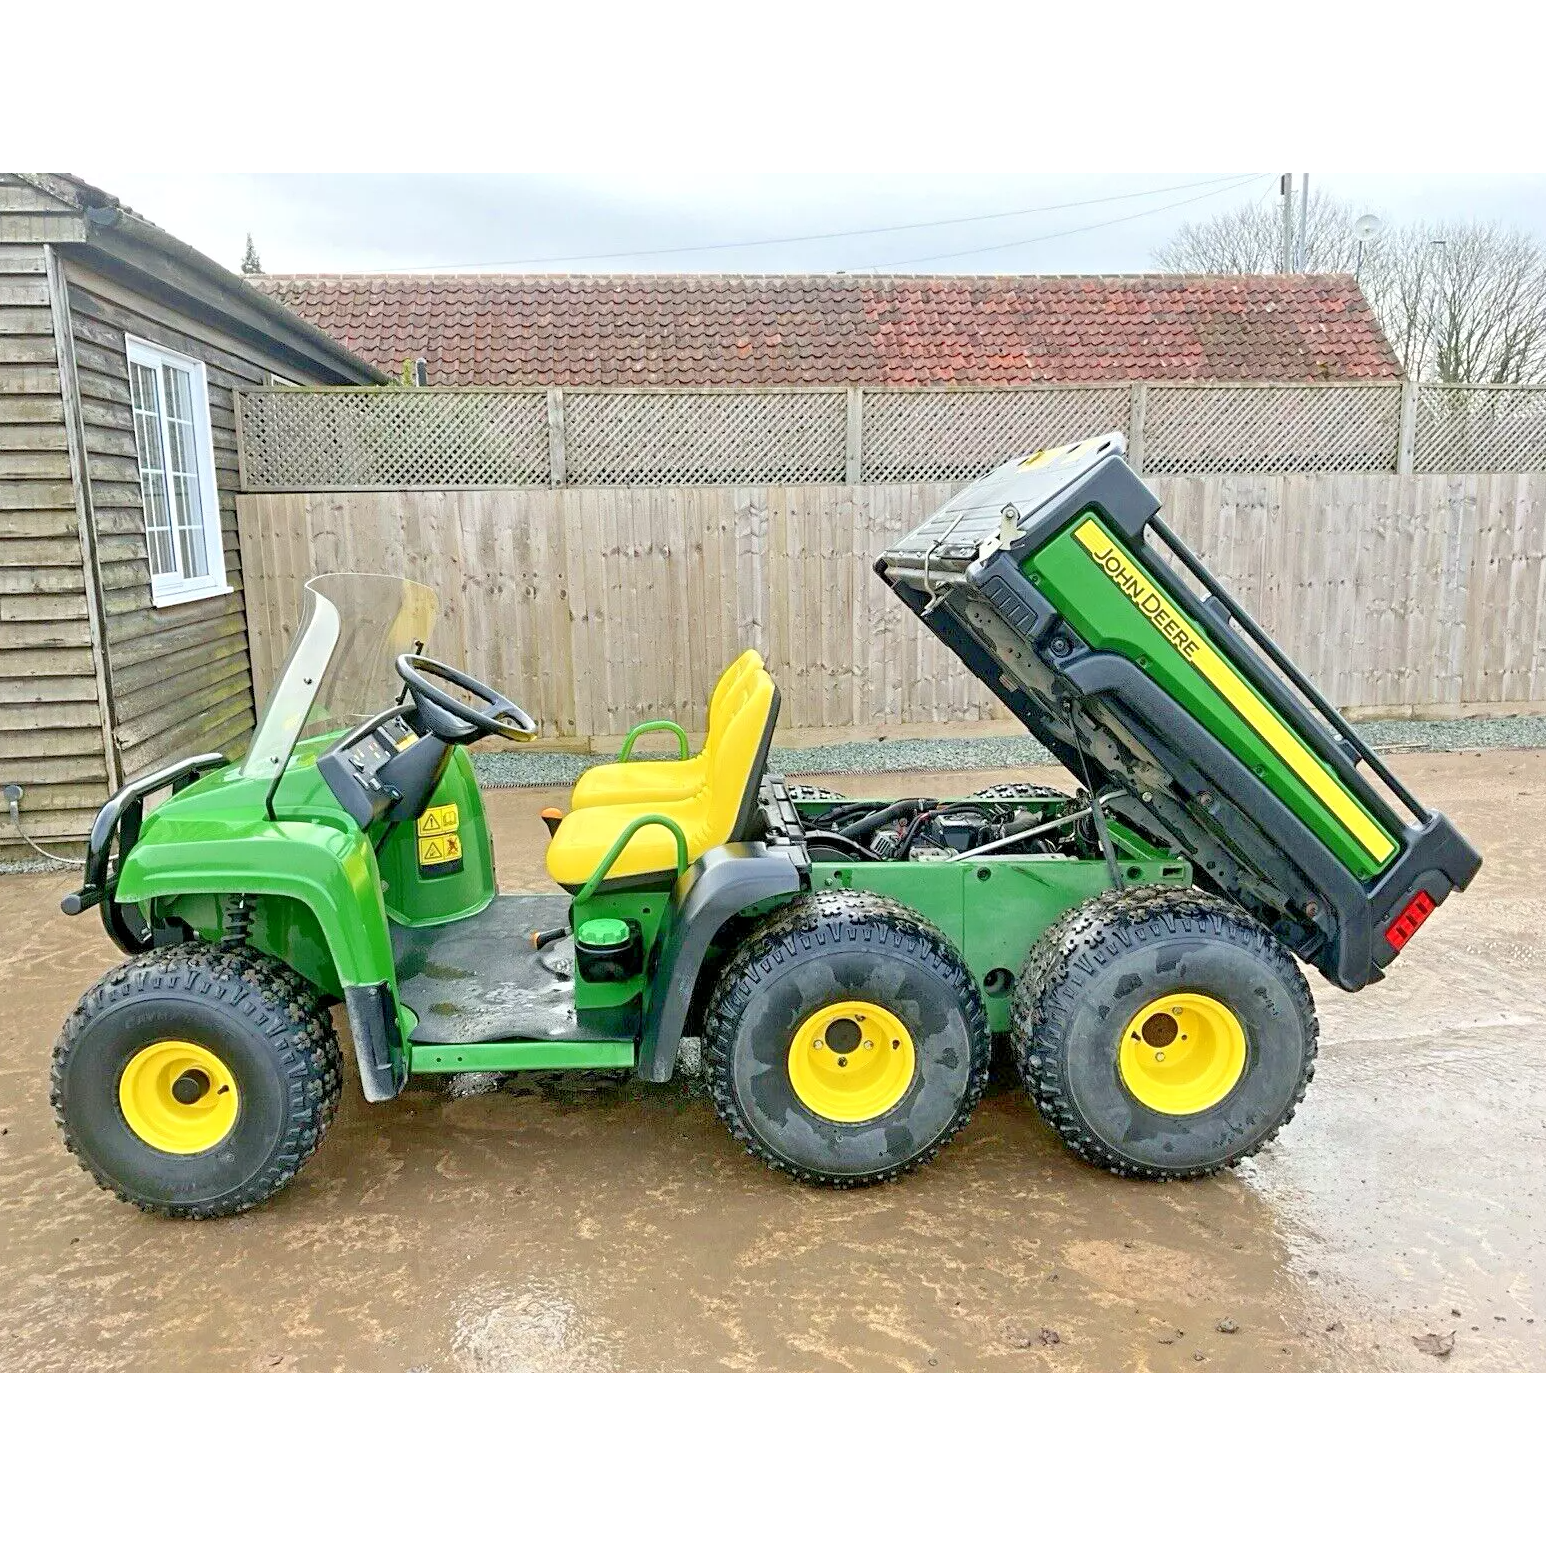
(339, 669)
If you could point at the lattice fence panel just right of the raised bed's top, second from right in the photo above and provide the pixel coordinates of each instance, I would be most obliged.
(1272, 429)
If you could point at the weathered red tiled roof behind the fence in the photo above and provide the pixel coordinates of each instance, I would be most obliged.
(686, 330)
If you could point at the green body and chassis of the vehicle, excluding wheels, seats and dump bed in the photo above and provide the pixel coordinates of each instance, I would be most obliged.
(346, 907)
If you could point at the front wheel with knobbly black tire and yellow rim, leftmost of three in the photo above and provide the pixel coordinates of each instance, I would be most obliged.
(194, 1081)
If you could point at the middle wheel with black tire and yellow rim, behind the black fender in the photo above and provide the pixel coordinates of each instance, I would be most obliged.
(846, 1040)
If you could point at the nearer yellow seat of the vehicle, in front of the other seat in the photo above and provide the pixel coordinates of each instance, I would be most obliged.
(721, 811)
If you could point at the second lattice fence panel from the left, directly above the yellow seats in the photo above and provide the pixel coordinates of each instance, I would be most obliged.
(704, 438)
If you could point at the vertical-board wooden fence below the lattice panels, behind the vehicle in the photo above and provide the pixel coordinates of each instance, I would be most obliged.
(604, 607)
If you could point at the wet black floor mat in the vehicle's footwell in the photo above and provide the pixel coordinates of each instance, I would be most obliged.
(480, 981)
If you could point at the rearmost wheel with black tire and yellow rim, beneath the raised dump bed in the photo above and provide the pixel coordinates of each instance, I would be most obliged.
(1163, 1034)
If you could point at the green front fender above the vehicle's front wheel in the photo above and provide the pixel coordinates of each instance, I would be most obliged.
(329, 871)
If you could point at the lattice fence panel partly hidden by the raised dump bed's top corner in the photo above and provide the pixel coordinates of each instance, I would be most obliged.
(911, 435)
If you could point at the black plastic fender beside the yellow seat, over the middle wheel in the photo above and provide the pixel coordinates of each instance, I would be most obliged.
(724, 882)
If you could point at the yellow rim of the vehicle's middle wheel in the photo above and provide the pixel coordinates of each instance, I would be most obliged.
(851, 1061)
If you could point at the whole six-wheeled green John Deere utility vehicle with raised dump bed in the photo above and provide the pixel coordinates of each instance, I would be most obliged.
(352, 850)
